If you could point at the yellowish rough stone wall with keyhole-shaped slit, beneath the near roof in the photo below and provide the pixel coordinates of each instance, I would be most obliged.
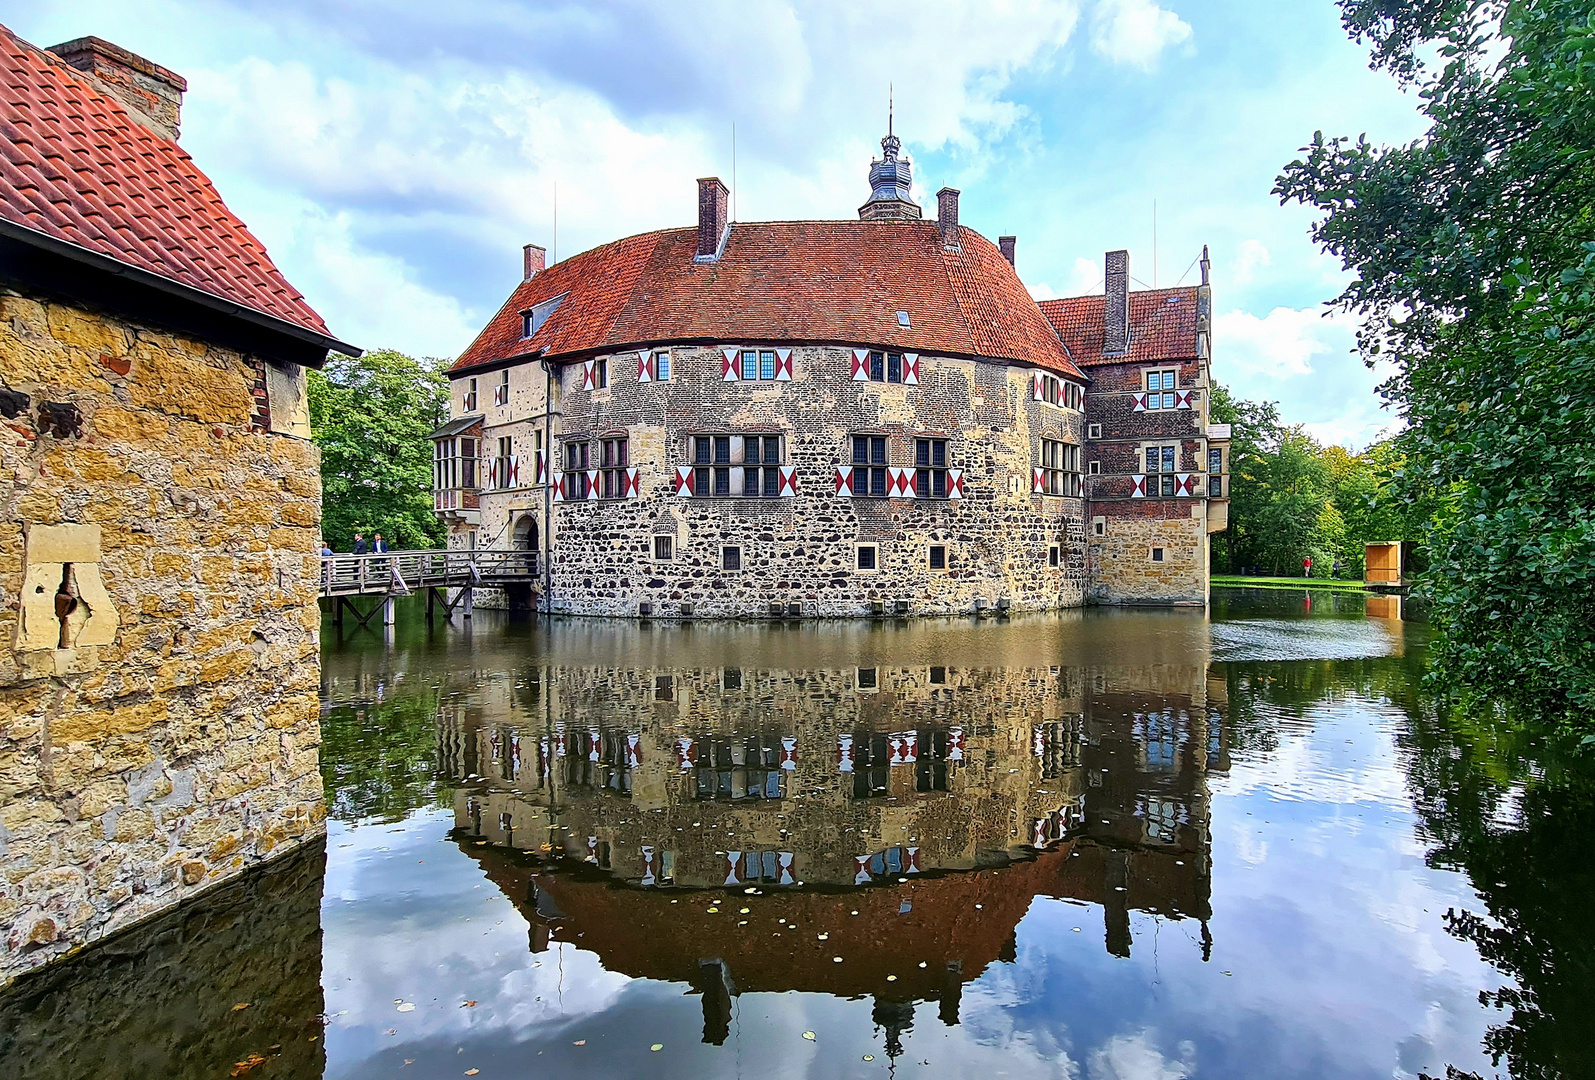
(173, 743)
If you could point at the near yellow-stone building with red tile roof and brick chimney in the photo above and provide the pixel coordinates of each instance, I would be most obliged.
(159, 684)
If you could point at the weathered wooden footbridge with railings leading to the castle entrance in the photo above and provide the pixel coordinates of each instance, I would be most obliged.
(439, 574)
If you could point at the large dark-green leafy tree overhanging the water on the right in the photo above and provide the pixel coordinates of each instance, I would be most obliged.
(1475, 259)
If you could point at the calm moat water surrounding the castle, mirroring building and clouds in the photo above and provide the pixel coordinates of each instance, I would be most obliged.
(1106, 845)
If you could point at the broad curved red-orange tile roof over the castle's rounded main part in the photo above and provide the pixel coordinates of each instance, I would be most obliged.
(784, 282)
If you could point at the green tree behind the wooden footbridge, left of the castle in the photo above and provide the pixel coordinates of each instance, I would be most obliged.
(372, 417)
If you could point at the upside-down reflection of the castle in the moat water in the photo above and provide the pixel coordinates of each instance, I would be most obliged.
(704, 816)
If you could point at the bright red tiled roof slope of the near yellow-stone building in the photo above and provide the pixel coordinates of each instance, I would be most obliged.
(77, 168)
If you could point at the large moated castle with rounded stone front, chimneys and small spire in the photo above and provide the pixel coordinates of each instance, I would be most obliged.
(835, 419)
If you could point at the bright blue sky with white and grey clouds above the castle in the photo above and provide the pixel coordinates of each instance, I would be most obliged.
(395, 154)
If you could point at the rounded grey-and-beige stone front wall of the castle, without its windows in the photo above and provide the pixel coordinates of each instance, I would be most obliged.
(803, 550)
